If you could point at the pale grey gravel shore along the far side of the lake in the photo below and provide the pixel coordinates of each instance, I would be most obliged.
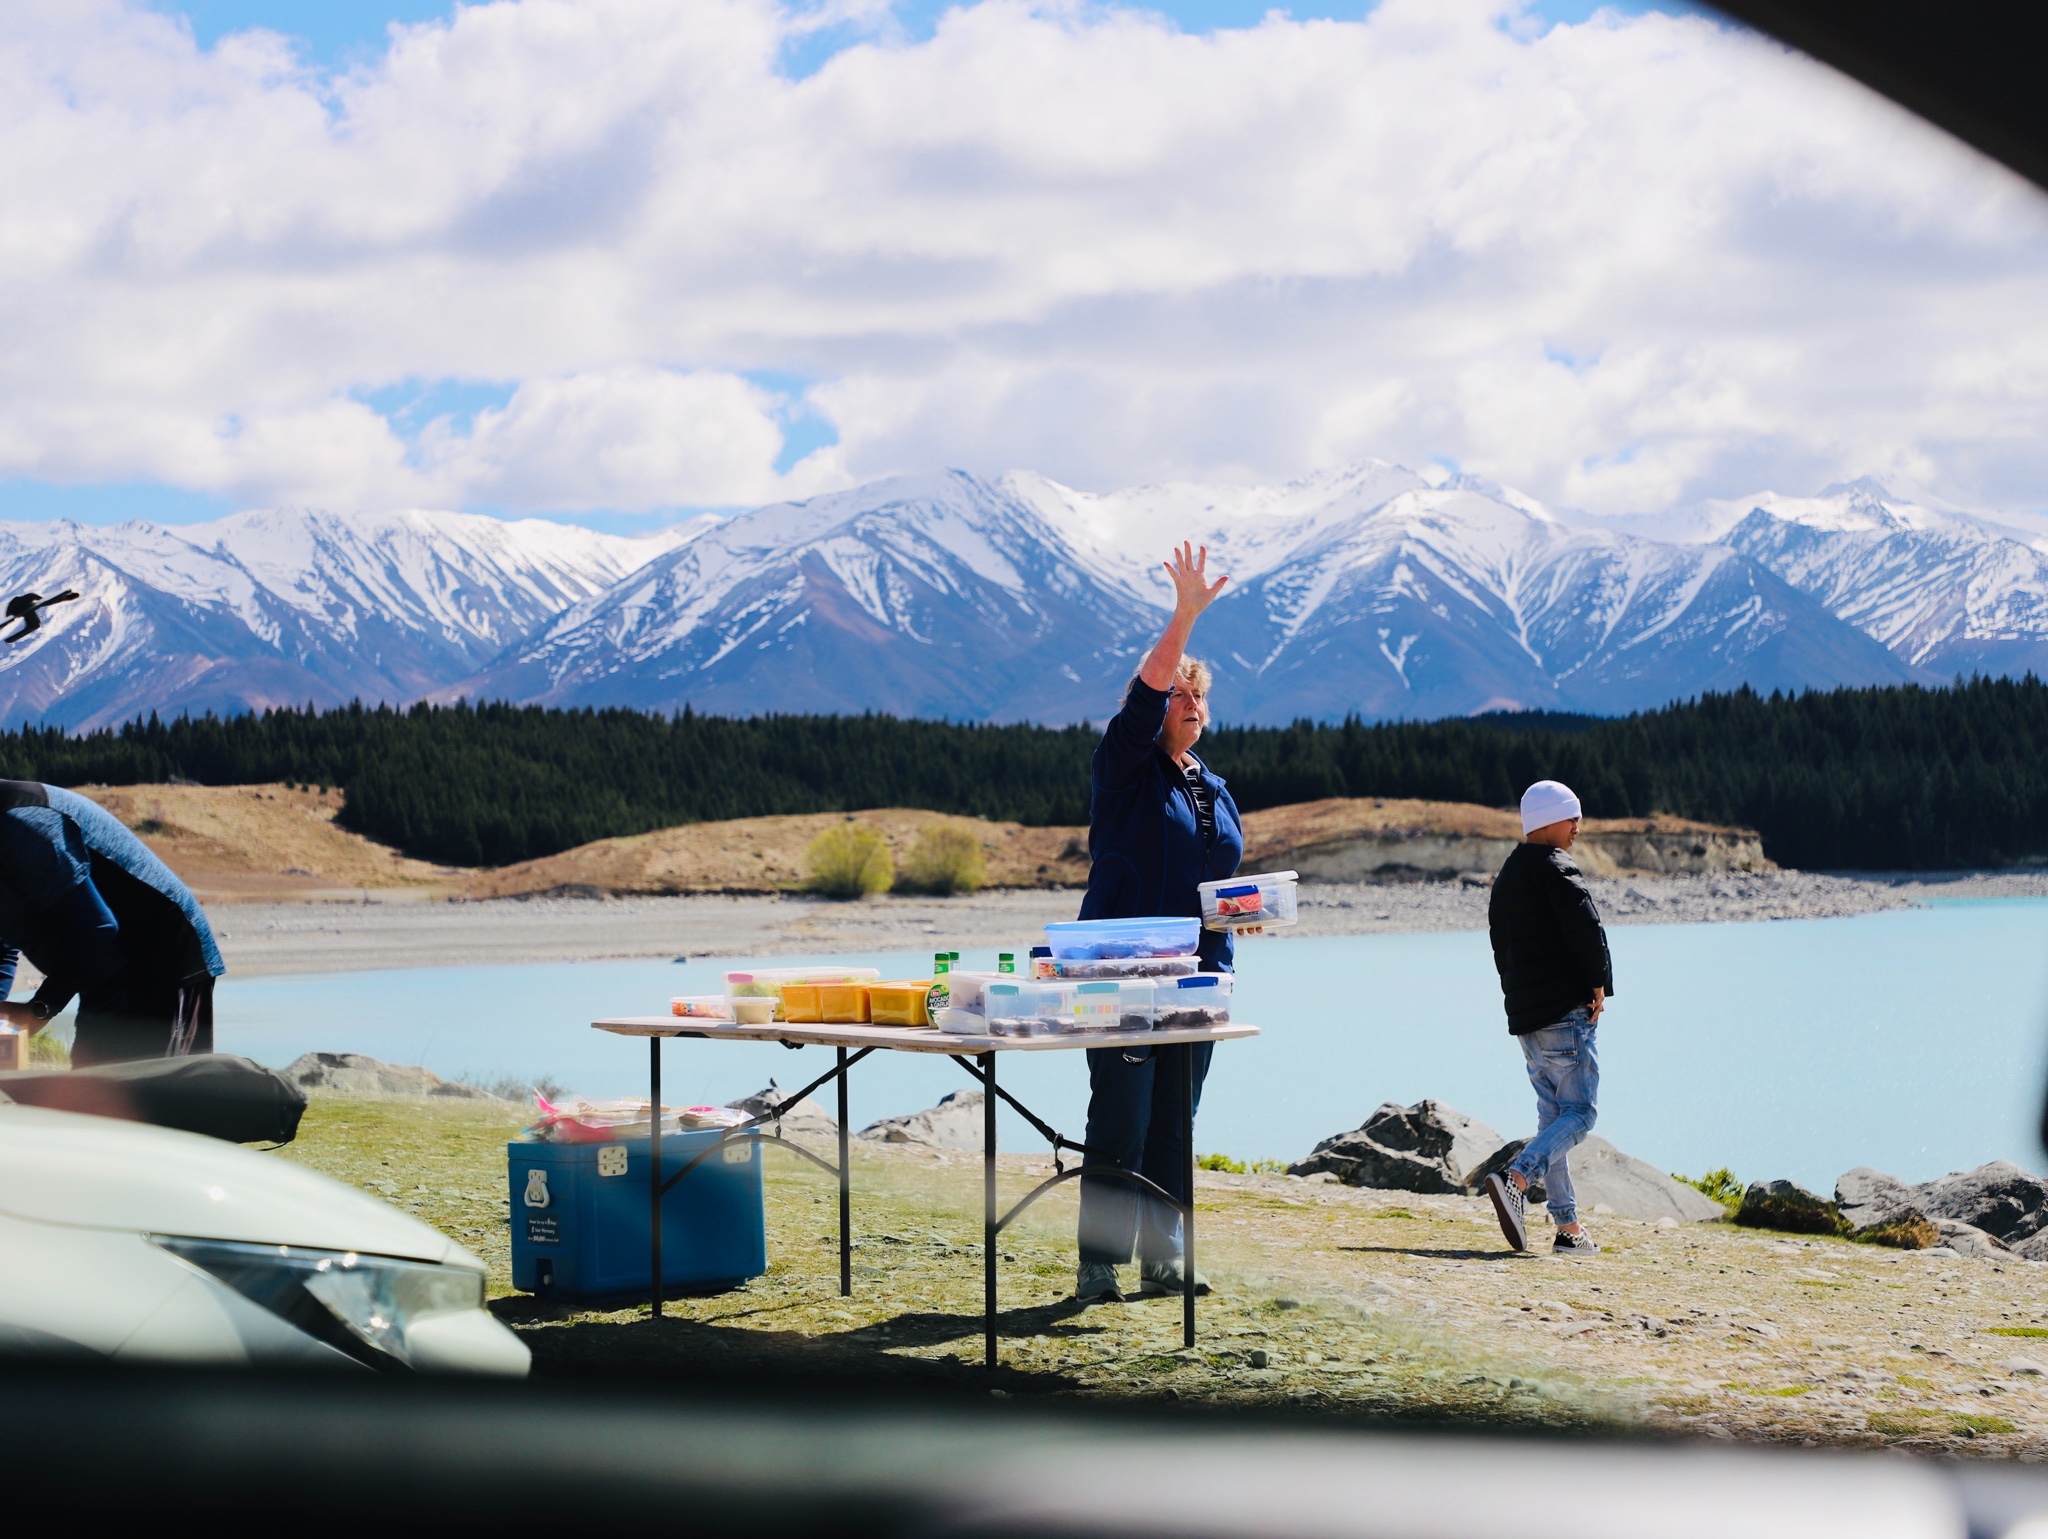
(398, 933)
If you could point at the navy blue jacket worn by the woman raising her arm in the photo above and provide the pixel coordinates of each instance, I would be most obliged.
(1142, 829)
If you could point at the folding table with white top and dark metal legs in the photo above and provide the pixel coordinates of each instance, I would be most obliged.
(976, 1056)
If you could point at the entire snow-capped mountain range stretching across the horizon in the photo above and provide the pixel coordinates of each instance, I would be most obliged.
(1369, 591)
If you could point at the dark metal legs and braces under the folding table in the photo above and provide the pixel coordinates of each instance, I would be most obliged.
(992, 1222)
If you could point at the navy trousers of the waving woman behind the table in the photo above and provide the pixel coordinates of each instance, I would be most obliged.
(1136, 1122)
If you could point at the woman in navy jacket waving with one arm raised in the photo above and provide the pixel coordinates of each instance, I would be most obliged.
(1160, 823)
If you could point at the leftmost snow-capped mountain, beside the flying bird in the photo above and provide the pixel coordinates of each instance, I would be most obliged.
(286, 608)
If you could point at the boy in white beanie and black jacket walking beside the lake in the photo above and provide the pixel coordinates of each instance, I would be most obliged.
(1551, 954)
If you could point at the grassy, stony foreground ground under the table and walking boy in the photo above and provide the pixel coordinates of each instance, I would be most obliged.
(1328, 1300)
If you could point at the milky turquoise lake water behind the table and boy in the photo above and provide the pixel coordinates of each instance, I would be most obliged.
(1914, 1042)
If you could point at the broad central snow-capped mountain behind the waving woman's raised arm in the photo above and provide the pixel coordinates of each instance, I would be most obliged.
(1367, 591)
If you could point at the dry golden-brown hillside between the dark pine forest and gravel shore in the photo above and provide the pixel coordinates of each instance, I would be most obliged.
(273, 843)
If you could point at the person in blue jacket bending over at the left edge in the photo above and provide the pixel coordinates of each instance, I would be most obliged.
(108, 925)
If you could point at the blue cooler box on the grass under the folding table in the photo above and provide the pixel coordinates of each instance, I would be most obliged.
(581, 1216)
